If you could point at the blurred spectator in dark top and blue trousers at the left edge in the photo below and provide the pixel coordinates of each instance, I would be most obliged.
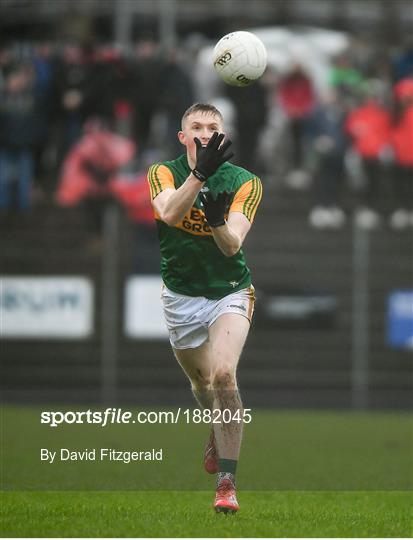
(20, 130)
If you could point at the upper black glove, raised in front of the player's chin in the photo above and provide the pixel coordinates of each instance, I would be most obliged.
(210, 157)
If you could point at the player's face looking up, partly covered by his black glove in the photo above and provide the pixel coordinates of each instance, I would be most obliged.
(201, 125)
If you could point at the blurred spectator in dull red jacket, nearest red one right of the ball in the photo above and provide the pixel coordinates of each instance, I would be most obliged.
(297, 99)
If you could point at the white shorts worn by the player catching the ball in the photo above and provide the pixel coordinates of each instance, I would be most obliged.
(188, 318)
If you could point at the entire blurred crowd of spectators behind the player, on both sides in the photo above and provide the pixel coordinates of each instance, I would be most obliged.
(79, 125)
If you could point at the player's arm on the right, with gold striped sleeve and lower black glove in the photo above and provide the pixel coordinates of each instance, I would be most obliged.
(230, 234)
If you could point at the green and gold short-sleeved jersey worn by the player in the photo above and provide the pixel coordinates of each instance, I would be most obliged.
(192, 263)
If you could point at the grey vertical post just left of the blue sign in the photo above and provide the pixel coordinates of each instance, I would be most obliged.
(360, 319)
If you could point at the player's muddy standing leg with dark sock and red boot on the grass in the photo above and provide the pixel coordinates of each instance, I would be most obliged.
(227, 337)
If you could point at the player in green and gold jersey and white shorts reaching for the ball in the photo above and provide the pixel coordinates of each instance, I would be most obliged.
(204, 207)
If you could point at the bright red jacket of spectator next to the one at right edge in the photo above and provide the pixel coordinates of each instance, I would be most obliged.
(369, 128)
